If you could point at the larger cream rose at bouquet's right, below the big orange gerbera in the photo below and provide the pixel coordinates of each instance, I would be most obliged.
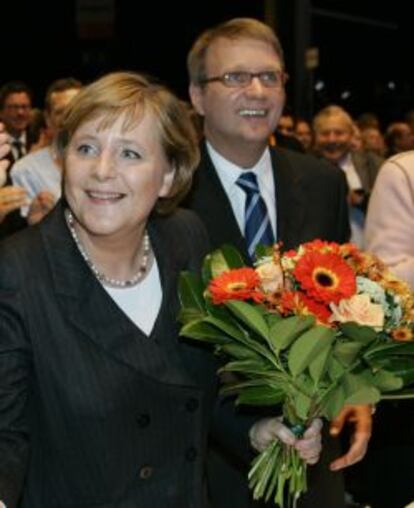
(360, 309)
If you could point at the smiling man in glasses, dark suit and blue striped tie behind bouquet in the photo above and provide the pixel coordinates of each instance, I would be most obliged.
(237, 80)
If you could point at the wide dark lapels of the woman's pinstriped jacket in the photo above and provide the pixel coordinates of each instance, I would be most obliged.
(90, 310)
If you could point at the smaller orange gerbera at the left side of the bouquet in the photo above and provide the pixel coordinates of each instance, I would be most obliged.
(238, 284)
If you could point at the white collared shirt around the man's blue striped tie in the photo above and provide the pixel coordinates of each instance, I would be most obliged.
(228, 174)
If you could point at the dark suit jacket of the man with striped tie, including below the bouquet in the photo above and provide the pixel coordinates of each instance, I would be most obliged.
(311, 203)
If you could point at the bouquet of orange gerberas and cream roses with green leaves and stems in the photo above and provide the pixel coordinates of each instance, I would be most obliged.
(310, 330)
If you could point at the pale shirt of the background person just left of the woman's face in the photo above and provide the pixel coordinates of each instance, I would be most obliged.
(37, 172)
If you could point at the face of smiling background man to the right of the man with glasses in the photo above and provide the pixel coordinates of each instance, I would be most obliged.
(333, 138)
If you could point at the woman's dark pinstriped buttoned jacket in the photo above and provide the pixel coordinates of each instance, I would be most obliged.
(92, 411)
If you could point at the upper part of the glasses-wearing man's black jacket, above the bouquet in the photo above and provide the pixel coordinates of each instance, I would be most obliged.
(310, 201)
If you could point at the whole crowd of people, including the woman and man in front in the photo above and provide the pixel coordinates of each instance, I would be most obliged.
(101, 404)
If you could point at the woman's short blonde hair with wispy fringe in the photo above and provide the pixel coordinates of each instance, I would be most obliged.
(132, 94)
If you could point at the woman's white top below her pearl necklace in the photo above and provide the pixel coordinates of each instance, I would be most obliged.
(142, 302)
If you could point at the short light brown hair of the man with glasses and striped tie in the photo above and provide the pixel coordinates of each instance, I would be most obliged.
(237, 28)
